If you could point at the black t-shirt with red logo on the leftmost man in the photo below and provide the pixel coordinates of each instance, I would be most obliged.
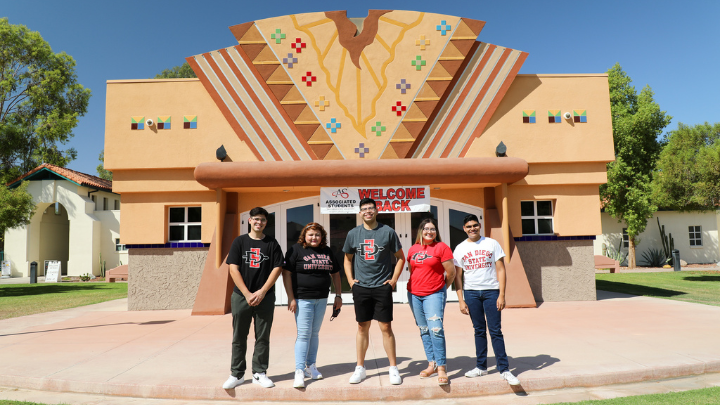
(256, 259)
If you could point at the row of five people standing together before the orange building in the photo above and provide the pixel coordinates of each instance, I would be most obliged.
(255, 263)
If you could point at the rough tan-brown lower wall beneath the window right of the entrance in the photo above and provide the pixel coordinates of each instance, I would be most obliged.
(560, 270)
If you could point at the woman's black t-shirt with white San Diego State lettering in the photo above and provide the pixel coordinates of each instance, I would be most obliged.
(311, 269)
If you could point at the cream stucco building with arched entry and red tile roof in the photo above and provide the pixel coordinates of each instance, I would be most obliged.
(77, 221)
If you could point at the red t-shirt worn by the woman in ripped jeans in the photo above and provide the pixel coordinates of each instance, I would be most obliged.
(427, 274)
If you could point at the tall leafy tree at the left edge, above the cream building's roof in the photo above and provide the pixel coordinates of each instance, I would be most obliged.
(40, 102)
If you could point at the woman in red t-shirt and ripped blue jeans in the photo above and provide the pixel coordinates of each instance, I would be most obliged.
(431, 273)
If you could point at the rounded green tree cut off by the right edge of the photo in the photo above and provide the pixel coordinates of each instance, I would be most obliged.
(688, 170)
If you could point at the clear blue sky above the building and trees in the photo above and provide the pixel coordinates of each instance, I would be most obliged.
(672, 46)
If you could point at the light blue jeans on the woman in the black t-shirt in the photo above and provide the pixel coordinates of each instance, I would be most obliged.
(308, 318)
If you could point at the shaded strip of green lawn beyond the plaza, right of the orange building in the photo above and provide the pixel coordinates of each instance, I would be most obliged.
(702, 287)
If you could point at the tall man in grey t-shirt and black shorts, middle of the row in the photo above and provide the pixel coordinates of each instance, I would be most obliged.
(369, 249)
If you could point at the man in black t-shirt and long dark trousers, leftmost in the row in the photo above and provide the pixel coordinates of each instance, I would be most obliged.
(255, 263)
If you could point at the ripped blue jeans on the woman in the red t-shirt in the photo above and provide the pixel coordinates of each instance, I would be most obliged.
(429, 312)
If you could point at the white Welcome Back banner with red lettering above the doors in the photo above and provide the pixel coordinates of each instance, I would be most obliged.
(345, 200)
